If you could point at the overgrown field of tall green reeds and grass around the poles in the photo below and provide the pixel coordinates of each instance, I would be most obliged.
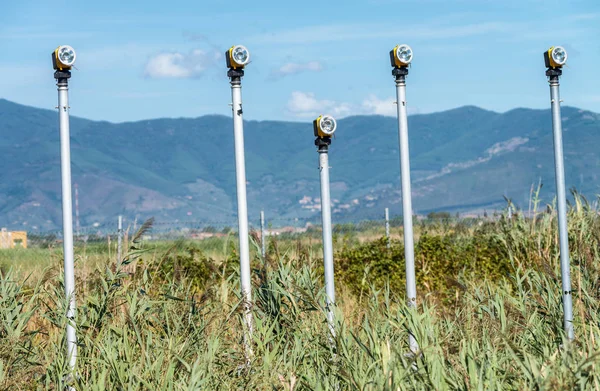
(489, 312)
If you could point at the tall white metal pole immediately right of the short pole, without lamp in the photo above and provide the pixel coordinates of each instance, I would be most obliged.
(409, 252)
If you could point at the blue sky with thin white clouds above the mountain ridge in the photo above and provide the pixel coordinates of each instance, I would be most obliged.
(139, 60)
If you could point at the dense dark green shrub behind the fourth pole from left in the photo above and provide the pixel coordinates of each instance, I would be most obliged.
(439, 261)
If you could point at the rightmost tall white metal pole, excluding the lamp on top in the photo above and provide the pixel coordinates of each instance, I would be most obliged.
(561, 200)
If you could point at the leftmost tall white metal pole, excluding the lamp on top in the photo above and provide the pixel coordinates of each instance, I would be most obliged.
(65, 164)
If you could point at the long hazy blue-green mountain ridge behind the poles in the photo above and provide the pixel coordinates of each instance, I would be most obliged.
(463, 160)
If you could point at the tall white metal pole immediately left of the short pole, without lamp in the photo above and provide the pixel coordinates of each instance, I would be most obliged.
(240, 173)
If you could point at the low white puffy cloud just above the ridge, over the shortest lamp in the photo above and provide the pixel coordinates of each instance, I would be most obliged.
(306, 105)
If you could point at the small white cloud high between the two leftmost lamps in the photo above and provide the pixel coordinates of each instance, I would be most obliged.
(179, 65)
